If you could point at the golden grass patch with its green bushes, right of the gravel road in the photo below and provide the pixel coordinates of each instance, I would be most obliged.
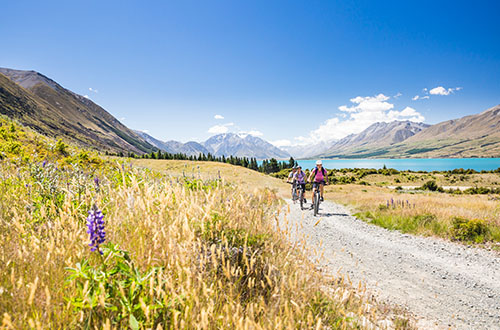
(425, 213)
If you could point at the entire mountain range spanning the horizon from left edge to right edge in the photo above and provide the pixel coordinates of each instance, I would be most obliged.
(42, 104)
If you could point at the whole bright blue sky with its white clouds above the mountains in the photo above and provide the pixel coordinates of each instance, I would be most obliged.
(289, 71)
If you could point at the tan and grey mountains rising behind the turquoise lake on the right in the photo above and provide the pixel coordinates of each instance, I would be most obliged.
(470, 136)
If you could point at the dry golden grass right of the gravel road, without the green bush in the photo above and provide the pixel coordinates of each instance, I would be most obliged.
(442, 206)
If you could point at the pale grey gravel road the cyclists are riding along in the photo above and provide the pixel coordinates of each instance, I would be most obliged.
(442, 283)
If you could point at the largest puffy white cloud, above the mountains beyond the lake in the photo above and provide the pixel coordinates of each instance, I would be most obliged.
(364, 112)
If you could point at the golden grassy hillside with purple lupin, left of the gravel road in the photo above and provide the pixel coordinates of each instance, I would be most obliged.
(178, 251)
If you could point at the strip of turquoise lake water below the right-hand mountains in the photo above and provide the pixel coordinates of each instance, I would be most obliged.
(431, 164)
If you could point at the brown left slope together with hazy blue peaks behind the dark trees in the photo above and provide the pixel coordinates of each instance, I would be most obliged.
(42, 104)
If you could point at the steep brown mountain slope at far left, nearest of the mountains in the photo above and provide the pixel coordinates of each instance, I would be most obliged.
(45, 106)
